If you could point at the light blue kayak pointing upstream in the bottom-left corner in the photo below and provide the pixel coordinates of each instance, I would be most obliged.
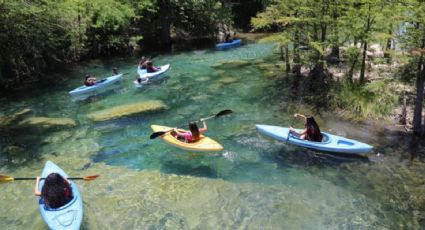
(69, 216)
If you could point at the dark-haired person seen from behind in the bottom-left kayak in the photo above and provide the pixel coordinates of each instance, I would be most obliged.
(56, 191)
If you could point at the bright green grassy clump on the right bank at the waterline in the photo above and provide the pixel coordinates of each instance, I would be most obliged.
(375, 100)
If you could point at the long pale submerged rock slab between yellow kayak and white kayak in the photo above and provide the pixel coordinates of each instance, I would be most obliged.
(127, 110)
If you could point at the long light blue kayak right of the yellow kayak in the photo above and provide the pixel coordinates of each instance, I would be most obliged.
(330, 143)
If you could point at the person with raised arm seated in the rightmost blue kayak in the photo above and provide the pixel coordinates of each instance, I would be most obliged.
(311, 131)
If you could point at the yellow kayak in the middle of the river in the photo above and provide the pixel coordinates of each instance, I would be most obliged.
(204, 144)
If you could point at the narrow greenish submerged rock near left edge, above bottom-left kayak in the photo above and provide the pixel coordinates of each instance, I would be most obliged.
(47, 122)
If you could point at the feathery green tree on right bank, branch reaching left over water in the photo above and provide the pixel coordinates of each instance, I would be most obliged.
(307, 24)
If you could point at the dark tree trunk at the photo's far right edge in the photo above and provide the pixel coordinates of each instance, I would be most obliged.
(417, 115)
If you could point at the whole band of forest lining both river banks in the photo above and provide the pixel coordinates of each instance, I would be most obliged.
(355, 37)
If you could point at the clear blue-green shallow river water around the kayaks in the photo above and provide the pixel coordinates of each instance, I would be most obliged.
(255, 183)
